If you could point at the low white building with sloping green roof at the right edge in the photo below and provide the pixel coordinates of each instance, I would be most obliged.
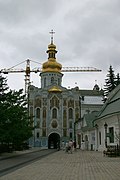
(108, 122)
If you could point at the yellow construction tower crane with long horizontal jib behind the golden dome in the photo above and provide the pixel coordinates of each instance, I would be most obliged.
(28, 70)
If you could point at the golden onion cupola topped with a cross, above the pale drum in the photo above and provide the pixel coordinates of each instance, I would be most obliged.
(51, 65)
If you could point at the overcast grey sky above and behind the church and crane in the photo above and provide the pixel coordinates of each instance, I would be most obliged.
(87, 34)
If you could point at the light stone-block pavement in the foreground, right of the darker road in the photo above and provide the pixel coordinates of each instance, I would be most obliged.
(81, 165)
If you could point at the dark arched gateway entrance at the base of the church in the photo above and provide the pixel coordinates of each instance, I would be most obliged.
(53, 140)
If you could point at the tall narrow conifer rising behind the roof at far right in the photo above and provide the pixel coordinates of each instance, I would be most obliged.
(110, 81)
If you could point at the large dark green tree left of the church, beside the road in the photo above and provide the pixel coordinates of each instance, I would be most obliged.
(15, 126)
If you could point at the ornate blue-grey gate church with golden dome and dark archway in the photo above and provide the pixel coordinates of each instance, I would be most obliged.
(54, 109)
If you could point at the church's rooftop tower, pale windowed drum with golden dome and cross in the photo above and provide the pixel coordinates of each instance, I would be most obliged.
(51, 69)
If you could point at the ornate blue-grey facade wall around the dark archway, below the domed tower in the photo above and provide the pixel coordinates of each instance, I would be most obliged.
(55, 112)
